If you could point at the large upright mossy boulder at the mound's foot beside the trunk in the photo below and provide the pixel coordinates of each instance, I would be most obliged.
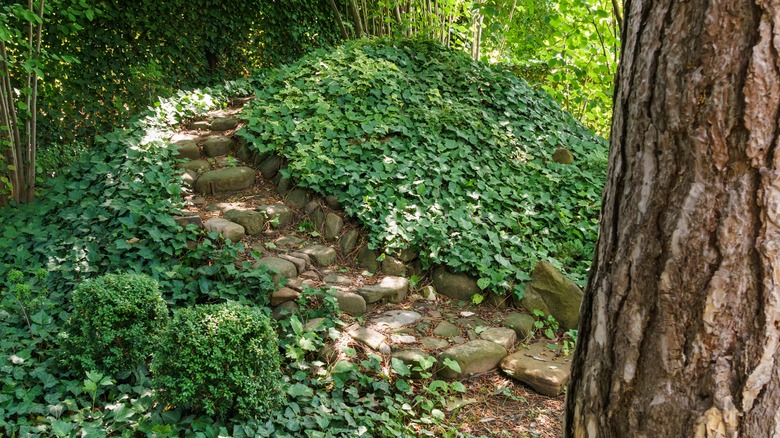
(554, 294)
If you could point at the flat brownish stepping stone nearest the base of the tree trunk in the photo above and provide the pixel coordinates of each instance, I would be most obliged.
(540, 368)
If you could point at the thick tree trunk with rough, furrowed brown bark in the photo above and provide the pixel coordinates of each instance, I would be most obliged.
(680, 323)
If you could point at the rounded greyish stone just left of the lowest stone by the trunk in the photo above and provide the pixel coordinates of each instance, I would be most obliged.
(474, 357)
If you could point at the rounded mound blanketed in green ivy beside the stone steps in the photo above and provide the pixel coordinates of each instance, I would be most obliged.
(432, 150)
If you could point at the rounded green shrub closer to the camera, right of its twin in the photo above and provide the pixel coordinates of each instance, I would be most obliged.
(221, 359)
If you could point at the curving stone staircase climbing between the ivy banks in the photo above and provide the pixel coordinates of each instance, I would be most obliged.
(306, 239)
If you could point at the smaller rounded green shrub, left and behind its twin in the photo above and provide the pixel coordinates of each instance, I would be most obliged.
(116, 321)
